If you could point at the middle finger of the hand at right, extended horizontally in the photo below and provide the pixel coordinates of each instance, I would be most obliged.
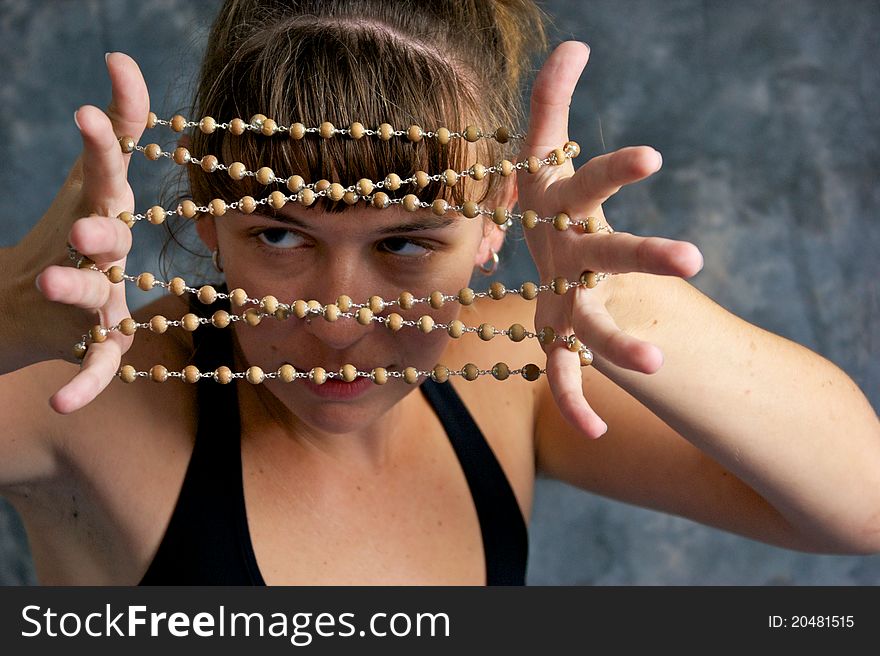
(622, 252)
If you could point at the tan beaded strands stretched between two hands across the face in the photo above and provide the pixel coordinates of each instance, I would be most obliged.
(251, 311)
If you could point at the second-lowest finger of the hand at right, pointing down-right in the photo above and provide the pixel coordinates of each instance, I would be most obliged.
(596, 327)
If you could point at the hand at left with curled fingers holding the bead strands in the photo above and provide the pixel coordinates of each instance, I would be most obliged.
(84, 214)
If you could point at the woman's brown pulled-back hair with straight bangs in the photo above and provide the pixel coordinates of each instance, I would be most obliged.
(434, 63)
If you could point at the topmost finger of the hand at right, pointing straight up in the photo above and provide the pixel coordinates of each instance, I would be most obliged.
(551, 95)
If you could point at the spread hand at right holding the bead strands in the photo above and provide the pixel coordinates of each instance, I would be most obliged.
(580, 194)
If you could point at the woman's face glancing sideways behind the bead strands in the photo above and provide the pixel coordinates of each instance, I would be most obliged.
(309, 254)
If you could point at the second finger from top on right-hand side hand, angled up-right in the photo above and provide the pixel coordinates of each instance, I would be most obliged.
(603, 176)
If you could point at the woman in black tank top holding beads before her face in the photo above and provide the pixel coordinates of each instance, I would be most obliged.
(715, 428)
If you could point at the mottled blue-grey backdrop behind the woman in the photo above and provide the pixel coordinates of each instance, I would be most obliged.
(766, 113)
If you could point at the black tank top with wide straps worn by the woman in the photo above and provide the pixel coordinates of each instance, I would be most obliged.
(207, 541)
